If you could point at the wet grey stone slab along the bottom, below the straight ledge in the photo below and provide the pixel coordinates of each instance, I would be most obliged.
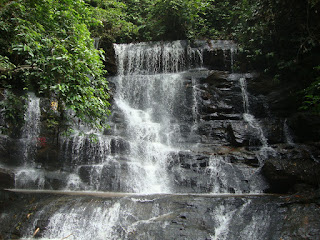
(160, 217)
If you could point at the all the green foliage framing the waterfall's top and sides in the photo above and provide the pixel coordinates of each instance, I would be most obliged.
(47, 45)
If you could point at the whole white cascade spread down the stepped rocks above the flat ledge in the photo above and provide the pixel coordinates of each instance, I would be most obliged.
(156, 143)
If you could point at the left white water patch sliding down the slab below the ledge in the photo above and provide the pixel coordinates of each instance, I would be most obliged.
(106, 220)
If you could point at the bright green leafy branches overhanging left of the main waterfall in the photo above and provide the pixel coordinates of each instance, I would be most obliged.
(51, 46)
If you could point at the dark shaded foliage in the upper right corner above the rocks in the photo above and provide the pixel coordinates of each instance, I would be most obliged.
(282, 38)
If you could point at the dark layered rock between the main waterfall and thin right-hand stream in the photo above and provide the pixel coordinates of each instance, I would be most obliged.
(220, 107)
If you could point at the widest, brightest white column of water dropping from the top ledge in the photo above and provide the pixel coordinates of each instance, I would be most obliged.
(150, 92)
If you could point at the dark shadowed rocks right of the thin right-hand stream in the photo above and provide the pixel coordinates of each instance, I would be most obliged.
(297, 163)
